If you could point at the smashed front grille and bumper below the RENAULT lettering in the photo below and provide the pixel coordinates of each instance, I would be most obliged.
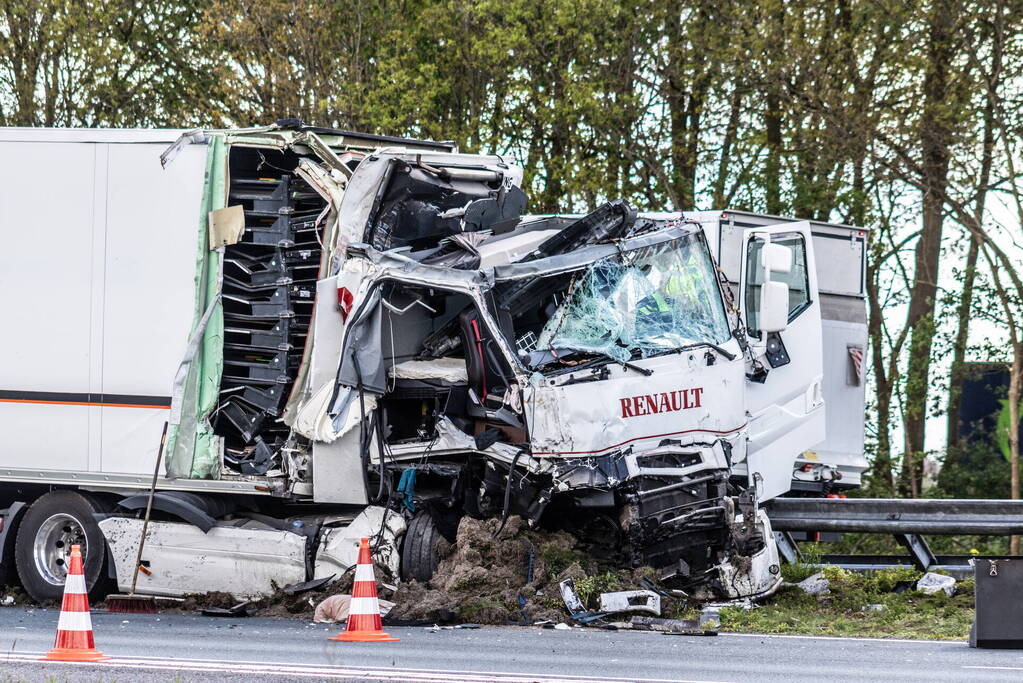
(676, 514)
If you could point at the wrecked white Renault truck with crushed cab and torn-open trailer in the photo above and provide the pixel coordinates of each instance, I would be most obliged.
(345, 335)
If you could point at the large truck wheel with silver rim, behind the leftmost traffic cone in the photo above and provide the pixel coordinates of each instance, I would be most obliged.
(55, 523)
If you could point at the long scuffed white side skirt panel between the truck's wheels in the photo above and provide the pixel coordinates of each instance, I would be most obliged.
(247, 563)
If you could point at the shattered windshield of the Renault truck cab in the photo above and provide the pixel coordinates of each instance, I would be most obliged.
(642, 304)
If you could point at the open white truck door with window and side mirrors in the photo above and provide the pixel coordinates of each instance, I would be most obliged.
(782, 309)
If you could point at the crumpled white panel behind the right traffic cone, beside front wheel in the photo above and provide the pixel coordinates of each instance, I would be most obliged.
(339, 549)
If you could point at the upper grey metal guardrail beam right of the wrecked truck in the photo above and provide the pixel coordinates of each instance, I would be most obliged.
(895, 516)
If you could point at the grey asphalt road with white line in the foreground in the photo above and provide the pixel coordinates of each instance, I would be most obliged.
(179, 648)
